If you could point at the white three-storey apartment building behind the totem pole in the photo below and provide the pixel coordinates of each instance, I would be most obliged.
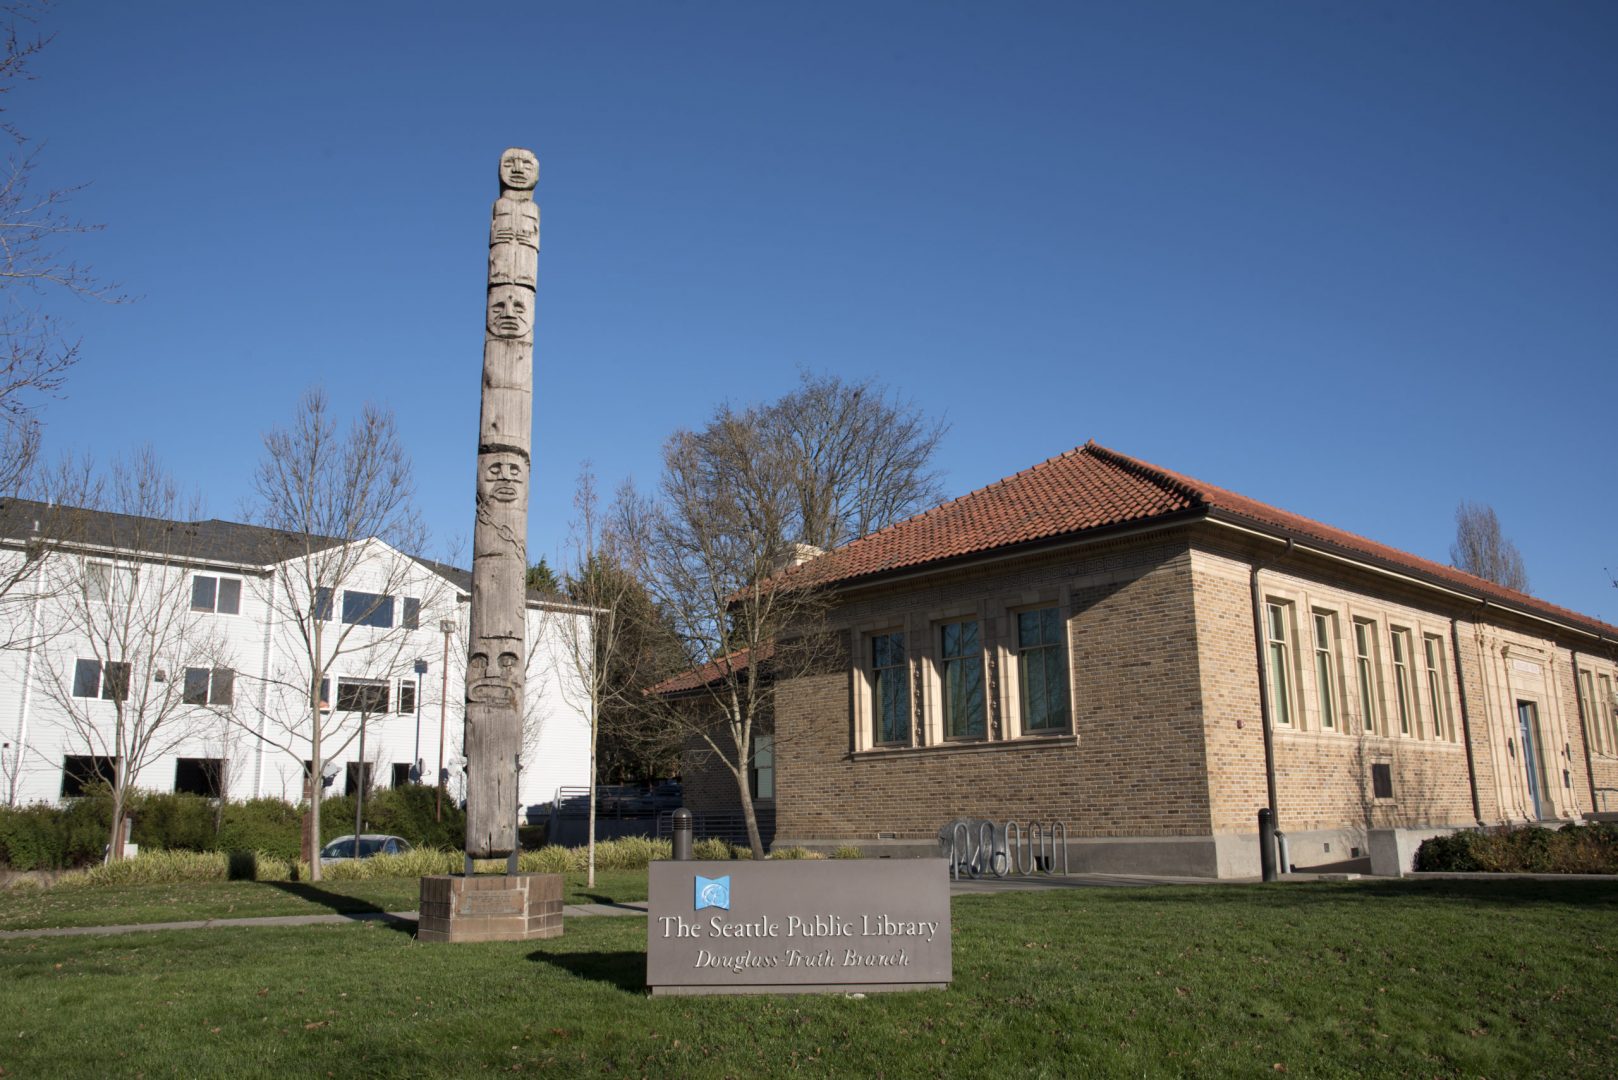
(188, 652)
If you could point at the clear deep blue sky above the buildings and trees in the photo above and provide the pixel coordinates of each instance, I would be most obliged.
(1355, 260)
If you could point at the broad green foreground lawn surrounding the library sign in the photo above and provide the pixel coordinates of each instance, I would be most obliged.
(1358, 979)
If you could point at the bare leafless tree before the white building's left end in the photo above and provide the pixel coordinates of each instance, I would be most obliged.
(146, 673)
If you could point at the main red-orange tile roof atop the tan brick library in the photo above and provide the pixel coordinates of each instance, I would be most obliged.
(1093, 488)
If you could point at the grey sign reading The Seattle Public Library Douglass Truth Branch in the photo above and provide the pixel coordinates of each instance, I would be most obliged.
(798, 927)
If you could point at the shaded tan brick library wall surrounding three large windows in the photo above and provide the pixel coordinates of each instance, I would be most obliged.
(1132, 765)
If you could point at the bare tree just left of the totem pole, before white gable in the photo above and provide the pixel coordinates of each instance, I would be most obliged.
(342, 576)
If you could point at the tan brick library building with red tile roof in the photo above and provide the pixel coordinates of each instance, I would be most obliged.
(1151, 660)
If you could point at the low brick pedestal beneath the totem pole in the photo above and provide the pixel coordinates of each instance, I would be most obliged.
(517, 908)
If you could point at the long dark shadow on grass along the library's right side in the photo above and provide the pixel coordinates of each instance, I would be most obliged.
(1292, 895)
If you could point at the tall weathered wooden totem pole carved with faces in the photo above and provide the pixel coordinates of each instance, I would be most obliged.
(498, 652)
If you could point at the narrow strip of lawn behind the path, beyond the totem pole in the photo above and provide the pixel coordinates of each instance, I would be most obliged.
(119, 906)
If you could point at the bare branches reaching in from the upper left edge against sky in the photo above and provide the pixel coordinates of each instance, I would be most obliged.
(35, 224)
